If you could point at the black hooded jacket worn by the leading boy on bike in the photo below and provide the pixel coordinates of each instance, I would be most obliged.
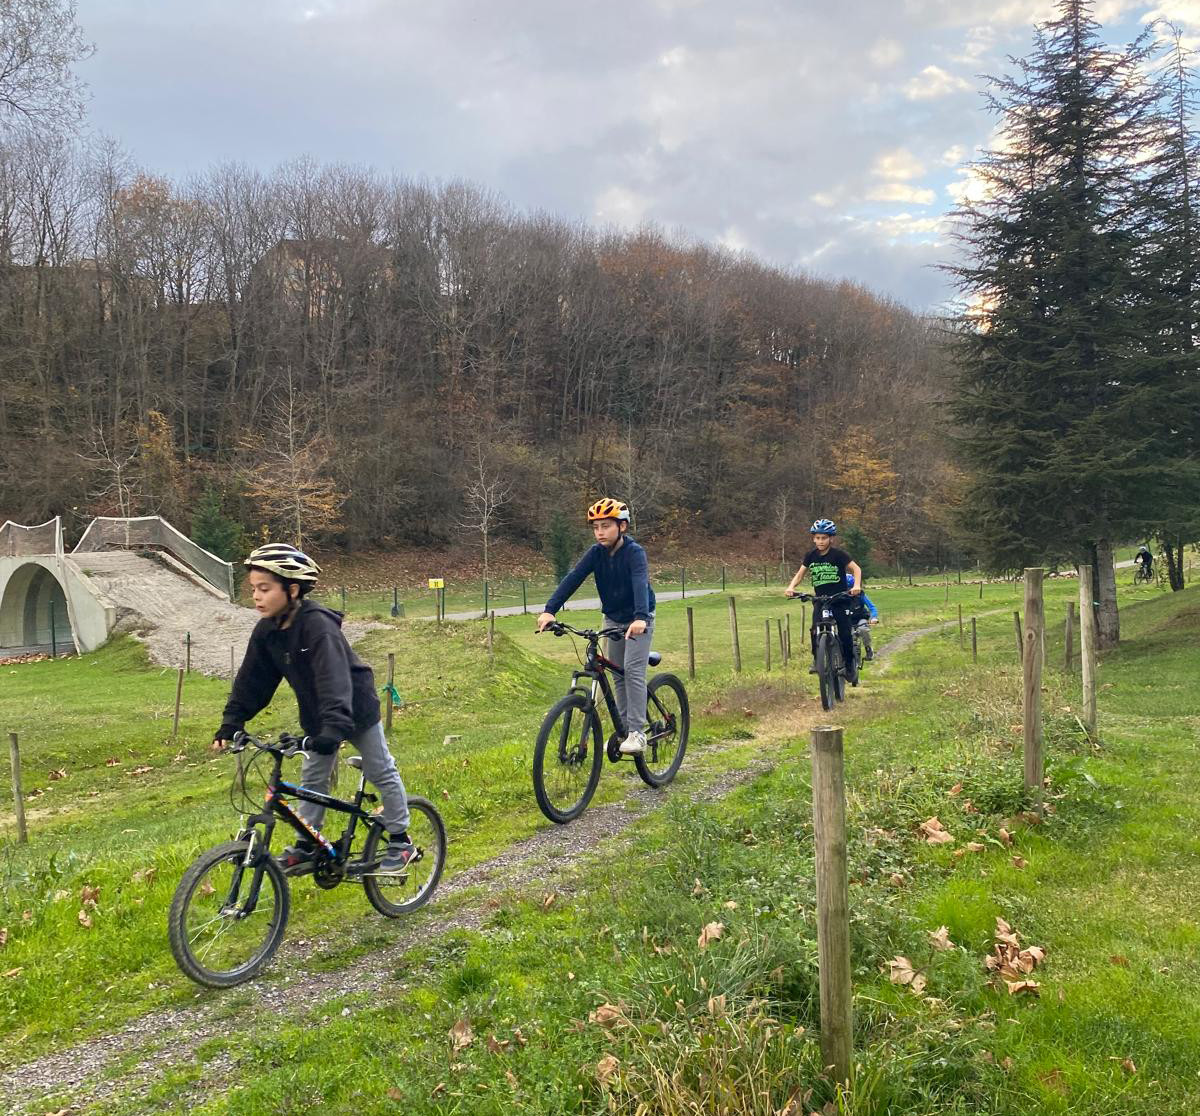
(334, 688)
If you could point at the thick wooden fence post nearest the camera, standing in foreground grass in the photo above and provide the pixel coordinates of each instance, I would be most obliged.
(833, 902)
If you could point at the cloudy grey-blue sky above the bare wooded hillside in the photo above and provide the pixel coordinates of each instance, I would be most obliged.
(821, 136)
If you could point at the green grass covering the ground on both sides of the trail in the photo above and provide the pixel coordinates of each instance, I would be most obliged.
(1105, 880)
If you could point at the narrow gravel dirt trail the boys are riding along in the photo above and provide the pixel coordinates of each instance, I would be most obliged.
(543, 862)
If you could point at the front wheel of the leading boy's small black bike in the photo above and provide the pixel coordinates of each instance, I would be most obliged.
(227, 919)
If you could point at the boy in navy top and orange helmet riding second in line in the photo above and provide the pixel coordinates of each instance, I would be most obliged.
(623, 580)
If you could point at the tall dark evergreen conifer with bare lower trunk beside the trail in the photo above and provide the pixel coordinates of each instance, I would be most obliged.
(1054, 357)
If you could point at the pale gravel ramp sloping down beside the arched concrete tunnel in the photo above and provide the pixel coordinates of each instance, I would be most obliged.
(161, 603)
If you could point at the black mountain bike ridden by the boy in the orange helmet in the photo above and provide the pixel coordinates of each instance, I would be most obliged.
(569, 752)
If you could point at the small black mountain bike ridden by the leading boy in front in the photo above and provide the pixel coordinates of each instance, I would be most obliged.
(231, 908)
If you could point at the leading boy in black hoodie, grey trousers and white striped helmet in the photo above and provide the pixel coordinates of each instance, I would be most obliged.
(303, 643)
